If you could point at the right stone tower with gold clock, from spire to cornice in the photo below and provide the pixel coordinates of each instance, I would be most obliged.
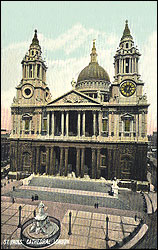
(127, 86)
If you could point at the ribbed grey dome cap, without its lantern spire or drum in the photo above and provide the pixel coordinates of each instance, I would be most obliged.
(93, 72)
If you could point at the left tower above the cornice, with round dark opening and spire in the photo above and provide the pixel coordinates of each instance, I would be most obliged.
(33, 89)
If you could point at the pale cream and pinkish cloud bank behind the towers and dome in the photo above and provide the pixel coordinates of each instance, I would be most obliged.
(75, 47)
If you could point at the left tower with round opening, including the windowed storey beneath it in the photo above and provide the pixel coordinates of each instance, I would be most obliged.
(32, 94)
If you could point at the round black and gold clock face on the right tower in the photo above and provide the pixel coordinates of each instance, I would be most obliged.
(127, 88)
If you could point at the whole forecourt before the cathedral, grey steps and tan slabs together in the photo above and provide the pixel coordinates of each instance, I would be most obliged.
(88, 222)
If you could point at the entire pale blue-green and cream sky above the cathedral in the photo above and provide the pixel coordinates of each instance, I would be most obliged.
(66, 30)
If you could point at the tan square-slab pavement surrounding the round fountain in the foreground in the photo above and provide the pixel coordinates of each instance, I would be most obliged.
(88, 228)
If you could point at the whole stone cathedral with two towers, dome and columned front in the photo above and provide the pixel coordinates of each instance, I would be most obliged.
(99, 128)
